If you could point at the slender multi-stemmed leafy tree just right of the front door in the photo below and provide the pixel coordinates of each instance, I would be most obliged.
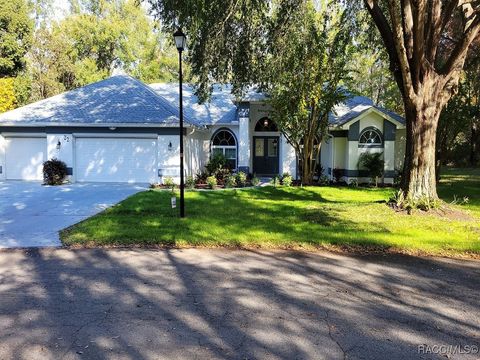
(309, 49)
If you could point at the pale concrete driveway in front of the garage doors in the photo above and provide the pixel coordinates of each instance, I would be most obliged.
(32, 214)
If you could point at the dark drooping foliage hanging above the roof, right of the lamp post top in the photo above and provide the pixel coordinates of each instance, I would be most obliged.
(227, 40)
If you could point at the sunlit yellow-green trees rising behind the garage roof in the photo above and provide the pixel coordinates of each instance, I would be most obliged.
(92, 40)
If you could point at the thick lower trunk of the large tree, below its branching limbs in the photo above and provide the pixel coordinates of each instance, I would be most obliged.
(419, 179)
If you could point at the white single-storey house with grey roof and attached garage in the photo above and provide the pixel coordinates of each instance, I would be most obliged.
(121, 130)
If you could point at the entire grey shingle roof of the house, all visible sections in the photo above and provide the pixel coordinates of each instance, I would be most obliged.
(122, 99)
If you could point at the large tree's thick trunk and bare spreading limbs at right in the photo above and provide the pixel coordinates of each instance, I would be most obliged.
(427, 71)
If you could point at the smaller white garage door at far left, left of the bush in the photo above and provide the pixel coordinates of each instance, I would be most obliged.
(24, 158)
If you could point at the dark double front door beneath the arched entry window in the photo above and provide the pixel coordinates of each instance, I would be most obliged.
(265, 155)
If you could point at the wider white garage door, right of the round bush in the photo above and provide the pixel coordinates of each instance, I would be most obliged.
(116, 160)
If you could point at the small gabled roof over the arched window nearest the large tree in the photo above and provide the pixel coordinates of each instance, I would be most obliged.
(353, 107)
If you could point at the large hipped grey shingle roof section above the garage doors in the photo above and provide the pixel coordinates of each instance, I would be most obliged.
(118, 99)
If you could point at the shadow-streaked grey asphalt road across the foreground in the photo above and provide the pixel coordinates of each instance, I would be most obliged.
(209, 304)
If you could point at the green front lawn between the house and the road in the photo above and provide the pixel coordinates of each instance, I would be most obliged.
(307, 217)
